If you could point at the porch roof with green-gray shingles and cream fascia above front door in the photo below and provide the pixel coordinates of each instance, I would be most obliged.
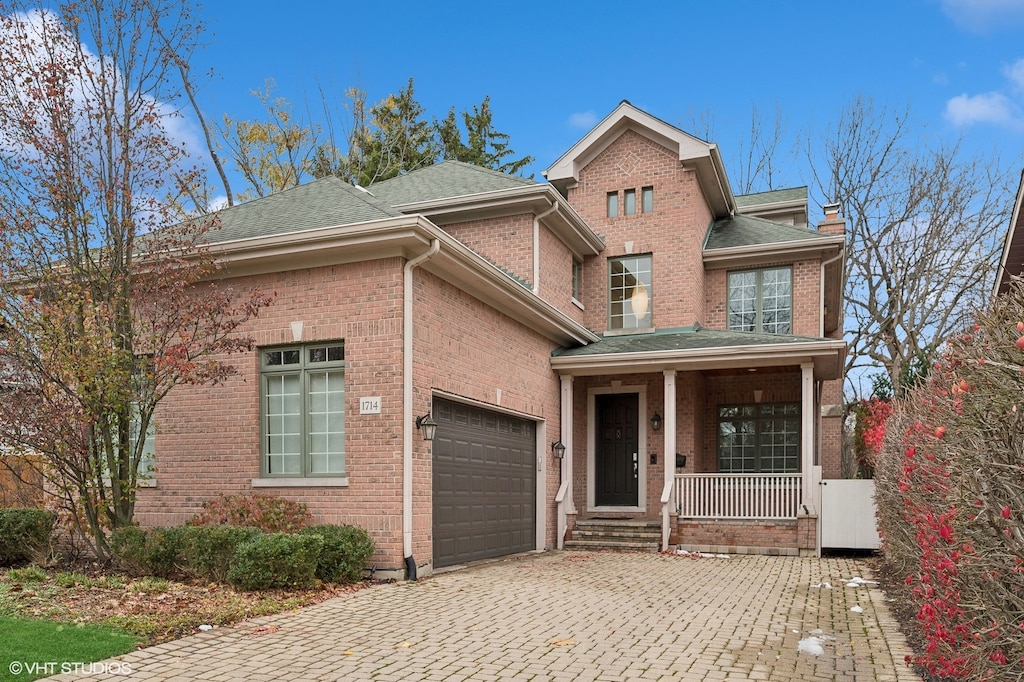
(695, 349)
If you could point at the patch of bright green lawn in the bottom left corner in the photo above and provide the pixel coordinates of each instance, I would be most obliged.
(32, 650)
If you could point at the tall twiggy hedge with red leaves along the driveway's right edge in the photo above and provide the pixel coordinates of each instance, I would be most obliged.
(950, 488)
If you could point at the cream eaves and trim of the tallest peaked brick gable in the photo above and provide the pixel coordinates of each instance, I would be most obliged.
(704, 158)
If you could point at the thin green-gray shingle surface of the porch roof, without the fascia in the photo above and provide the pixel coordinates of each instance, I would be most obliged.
(695, 338)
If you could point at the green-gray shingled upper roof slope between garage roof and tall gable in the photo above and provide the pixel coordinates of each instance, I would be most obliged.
(445, 181)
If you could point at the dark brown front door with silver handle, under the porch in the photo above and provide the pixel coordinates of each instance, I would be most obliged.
(618, 466)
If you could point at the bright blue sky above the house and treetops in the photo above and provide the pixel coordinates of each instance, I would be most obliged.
(553, 70)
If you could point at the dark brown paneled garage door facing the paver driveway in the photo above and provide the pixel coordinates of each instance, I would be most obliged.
(485, 484)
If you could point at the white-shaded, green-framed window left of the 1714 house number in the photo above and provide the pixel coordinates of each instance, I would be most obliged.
(304, 399)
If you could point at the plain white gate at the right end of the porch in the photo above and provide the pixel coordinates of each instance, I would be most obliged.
(848, 515)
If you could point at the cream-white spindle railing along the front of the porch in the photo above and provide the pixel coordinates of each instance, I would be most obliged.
(739, 496)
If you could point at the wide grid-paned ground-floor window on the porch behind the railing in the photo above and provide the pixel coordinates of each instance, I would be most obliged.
(759, 439)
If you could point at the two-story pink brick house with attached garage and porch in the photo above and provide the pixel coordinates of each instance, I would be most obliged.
(628, 343)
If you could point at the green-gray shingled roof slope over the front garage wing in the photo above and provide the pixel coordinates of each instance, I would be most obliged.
(324, 203)
